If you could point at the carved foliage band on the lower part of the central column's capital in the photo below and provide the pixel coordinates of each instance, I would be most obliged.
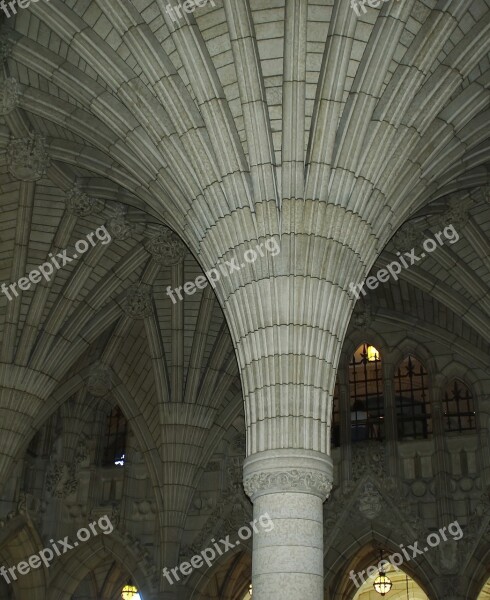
(310, 482)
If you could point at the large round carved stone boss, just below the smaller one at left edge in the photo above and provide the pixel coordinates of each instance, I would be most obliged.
(27, 157)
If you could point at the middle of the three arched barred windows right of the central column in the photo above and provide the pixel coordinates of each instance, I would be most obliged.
(412, 399)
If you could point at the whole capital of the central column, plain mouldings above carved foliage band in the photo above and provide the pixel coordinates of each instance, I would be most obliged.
(288, 470)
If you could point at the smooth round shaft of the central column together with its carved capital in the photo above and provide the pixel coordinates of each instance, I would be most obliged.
(290, 486)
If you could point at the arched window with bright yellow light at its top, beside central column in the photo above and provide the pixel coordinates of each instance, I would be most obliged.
(366, 394)
